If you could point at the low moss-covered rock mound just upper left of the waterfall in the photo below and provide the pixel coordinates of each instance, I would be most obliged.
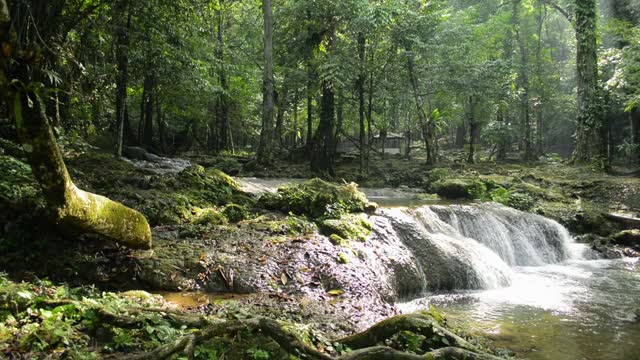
(316, 198)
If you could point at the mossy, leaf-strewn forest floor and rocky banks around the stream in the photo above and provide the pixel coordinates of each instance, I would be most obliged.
(210, 236)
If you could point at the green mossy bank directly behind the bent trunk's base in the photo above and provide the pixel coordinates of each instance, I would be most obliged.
(168, 199)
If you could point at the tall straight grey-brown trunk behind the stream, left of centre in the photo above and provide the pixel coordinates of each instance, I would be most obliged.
(266, 135)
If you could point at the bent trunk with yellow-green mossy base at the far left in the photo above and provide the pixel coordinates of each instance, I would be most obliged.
(73, 208)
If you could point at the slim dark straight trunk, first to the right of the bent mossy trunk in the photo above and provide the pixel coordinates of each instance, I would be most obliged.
(122, 56)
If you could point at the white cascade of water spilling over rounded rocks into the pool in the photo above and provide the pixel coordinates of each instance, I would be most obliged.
(471, 246)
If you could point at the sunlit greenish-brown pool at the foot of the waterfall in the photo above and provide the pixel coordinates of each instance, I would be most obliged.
(578, 310)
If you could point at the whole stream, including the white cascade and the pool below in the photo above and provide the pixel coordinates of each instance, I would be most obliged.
(519, 278)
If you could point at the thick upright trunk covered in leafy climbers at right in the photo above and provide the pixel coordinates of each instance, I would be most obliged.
(589, 128)
